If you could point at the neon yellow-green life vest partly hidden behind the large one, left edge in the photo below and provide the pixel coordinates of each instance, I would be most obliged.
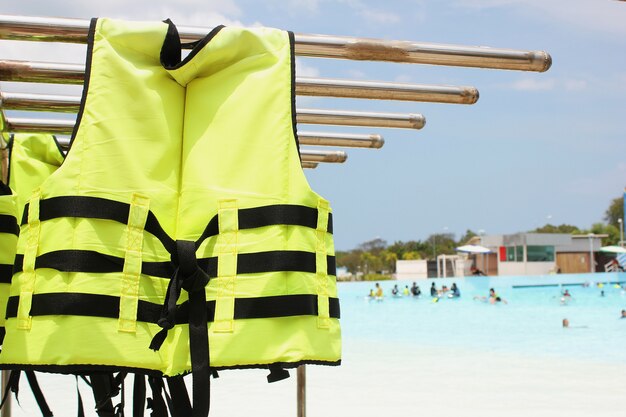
(32, 158)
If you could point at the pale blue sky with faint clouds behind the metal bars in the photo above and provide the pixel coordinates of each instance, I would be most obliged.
(536, 147)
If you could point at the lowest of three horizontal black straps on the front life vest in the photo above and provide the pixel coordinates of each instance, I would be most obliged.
(98, 305)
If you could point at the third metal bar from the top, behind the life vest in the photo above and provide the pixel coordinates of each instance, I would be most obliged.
(70, 104)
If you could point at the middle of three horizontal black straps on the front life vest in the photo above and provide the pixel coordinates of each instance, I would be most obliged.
(247, 263)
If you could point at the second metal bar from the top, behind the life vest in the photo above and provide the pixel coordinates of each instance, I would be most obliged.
(56, 73)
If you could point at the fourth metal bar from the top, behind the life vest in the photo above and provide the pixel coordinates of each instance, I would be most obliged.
(65, 127)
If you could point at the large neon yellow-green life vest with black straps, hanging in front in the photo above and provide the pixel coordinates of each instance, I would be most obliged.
(181, 201)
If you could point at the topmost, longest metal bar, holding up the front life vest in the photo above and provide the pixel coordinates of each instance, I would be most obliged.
(311, 45)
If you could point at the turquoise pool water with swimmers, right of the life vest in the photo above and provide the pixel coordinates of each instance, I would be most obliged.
(530, 324)
